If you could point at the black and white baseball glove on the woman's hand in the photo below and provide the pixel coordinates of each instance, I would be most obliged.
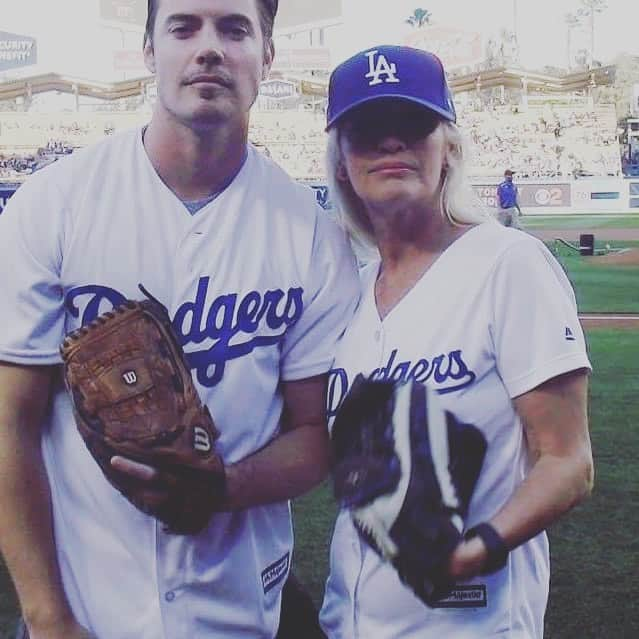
(406, 469)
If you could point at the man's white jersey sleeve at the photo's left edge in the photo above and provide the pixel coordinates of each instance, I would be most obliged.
(30, 262)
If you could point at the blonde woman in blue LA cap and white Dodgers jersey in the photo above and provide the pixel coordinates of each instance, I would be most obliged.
(482, 313)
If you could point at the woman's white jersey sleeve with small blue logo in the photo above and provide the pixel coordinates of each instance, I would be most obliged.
(535, 328)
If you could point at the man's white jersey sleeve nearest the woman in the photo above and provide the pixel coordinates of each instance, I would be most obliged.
(331, 294)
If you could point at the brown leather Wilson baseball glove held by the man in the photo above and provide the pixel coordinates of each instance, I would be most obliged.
(133, 396)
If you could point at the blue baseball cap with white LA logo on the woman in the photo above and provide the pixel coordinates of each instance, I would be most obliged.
(389, 71)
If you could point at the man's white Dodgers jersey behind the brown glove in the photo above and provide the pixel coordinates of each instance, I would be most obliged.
(260, 285)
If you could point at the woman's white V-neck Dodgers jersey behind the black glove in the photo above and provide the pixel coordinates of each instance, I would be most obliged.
(491, 319)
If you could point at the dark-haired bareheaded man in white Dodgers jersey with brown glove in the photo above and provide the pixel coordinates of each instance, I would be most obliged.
(260, 285)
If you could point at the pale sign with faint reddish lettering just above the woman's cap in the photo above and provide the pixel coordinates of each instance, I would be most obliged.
(454, 47)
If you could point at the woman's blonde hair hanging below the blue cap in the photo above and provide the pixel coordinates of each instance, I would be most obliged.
(458, 202)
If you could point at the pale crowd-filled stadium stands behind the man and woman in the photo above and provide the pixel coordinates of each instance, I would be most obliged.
(542, 141)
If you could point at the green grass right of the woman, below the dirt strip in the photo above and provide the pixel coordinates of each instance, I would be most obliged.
(595, 549)
